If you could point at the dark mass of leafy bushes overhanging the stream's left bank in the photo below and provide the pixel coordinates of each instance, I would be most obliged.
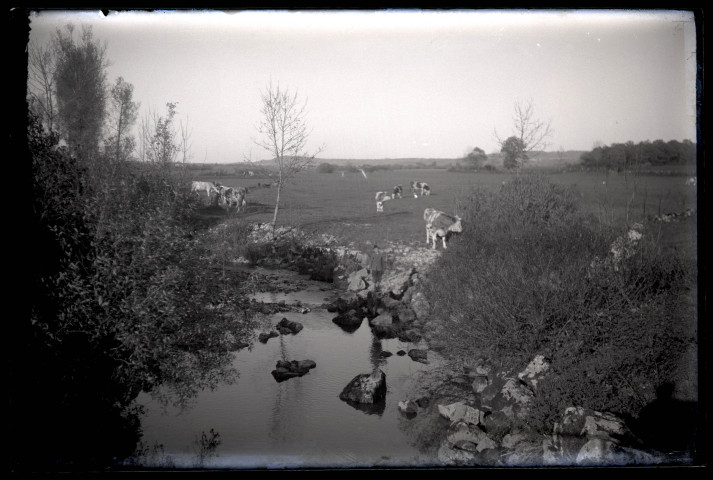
(125, 298)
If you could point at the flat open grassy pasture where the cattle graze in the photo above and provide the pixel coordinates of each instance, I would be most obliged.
(344, 206)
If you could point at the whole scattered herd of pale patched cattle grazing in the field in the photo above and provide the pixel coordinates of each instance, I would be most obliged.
(438, 224)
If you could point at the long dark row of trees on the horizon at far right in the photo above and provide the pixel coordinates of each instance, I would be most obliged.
(625, 156)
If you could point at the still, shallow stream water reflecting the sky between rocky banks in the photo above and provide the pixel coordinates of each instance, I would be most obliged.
(300, 422)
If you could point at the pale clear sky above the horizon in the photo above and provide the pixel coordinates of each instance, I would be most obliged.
(404, 83)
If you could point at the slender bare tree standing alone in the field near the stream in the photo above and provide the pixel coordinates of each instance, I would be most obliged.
(284, 134)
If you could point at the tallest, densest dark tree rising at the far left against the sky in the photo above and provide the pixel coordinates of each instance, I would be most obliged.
(79, 79)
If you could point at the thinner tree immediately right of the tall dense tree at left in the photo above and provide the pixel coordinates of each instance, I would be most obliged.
(122, 116)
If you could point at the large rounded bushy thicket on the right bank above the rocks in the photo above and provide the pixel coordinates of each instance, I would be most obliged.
(522, 280)
